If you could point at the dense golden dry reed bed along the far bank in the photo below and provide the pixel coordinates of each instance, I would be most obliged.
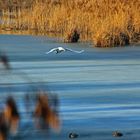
(107, 22)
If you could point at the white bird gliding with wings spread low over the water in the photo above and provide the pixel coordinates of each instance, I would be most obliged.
(61, 49)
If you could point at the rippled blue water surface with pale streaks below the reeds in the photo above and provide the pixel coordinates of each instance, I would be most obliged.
(98, 90)
